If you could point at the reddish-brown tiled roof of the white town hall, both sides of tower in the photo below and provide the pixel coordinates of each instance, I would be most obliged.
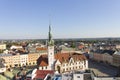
(62, 57)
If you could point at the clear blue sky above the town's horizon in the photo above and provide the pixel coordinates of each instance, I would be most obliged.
(30, 19)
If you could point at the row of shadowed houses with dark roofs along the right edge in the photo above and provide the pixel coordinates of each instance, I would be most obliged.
(107, 56)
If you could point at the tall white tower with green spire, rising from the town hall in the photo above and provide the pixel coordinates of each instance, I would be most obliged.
(50, 46)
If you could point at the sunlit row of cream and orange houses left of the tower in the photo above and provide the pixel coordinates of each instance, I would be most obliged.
(19, 60)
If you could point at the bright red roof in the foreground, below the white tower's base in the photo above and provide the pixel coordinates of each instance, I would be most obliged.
(41, 74)
